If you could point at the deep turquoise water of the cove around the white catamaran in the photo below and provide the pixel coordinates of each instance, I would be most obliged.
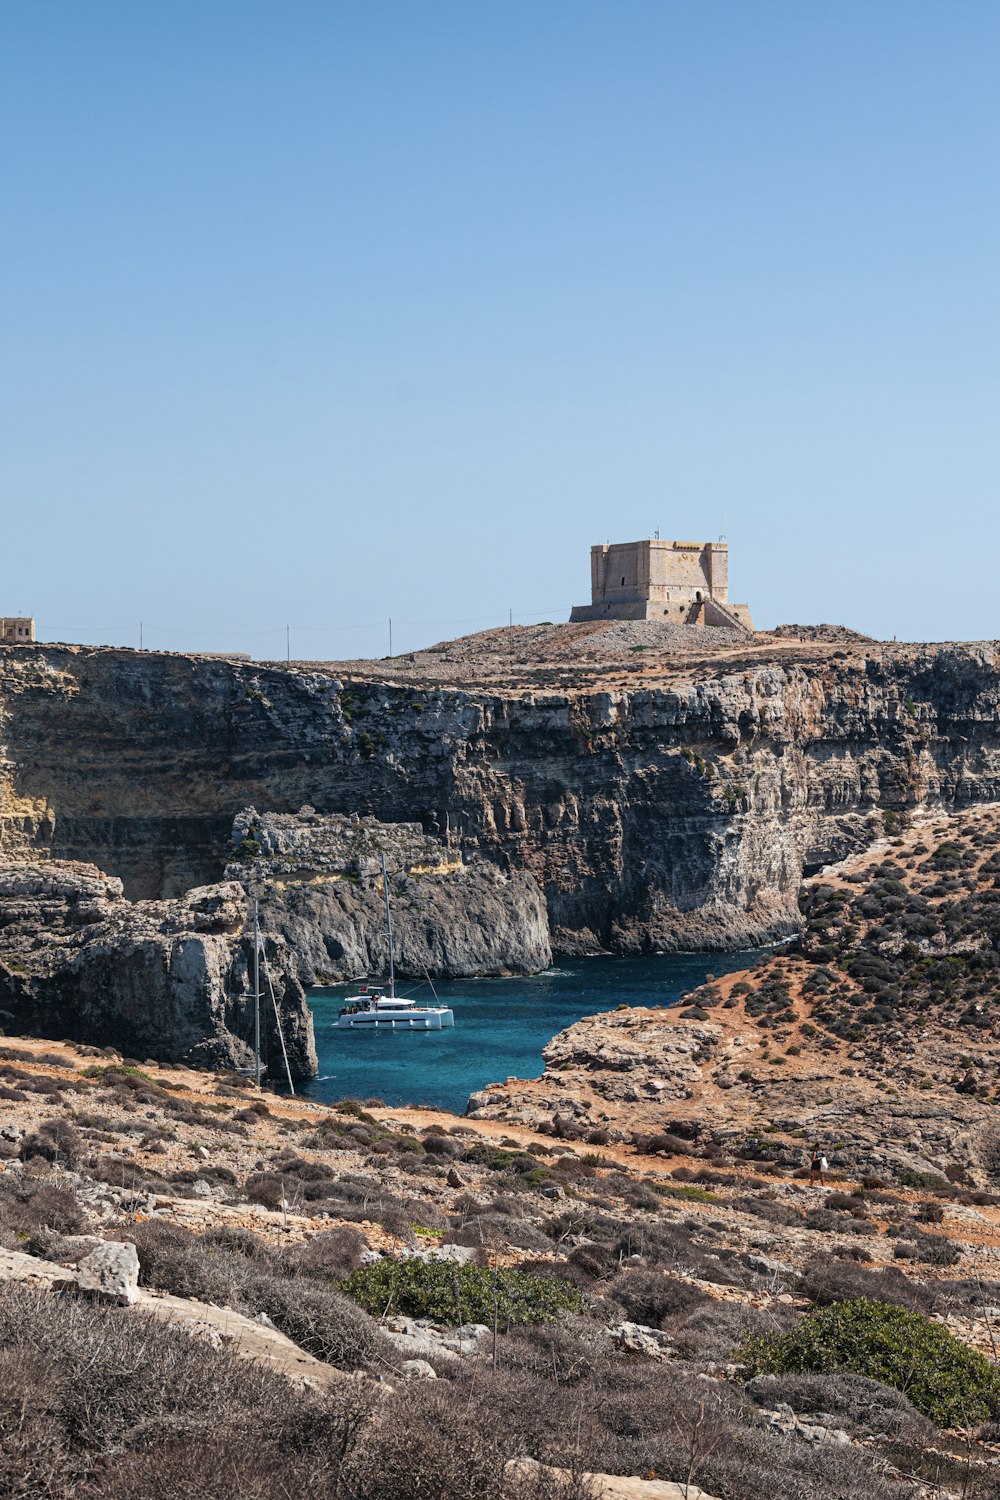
(500, 1027)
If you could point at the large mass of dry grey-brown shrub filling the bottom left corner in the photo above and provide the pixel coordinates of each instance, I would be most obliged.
(107, 1405)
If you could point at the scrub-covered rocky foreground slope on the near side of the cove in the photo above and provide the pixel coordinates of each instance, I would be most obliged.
(370, 1303)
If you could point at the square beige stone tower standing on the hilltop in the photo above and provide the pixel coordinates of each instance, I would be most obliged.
(683, 583)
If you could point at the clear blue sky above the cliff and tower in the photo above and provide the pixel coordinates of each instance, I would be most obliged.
(323, 313)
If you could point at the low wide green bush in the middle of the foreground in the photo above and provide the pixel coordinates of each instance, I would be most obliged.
(452, 1294)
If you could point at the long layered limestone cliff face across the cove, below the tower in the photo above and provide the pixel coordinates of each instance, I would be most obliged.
(666, 812)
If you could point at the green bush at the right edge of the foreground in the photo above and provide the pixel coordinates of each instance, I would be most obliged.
(947, 1381)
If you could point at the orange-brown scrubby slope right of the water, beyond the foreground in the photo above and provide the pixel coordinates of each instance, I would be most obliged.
(876, 1033)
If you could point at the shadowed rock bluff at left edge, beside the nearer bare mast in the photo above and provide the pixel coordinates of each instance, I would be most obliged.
(167, 980)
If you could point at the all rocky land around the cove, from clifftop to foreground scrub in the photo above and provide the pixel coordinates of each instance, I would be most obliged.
(612, 1282)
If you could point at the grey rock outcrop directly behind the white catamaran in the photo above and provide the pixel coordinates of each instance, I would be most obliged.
(320, 881)
